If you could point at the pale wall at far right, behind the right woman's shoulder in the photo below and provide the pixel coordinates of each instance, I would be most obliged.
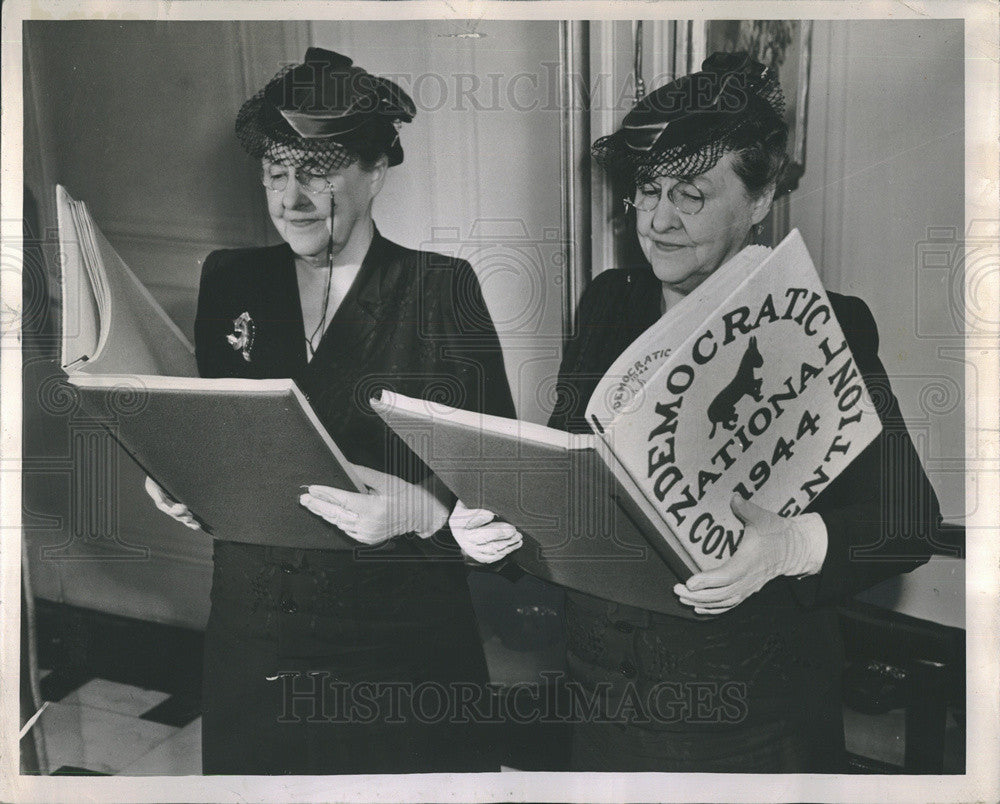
(881, 206)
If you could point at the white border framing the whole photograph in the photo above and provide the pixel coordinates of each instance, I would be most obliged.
(979, 783)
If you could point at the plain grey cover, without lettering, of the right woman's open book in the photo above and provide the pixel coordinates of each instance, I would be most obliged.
(585, 523)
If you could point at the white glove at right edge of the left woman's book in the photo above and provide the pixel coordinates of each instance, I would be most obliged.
(390, 508)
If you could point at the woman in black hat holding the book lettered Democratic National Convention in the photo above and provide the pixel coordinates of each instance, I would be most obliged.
(756, 687)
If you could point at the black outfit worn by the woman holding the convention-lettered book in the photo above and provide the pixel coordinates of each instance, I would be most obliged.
(756, 689)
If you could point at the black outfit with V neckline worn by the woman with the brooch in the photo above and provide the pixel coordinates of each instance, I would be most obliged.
(348, 662)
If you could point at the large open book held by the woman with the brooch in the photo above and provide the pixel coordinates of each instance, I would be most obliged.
(235, 451)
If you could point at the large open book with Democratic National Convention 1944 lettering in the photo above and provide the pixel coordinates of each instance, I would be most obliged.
(746, 386)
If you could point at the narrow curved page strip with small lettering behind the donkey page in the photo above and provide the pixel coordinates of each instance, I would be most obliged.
(633, 368)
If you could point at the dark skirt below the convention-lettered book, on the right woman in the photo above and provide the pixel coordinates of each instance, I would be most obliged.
(756, 690)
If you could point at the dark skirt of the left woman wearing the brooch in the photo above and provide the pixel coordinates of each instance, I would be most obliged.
(319, 663)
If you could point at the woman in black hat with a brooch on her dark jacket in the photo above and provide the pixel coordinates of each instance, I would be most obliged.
(319, 661)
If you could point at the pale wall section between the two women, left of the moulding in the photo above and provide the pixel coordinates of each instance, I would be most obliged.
(481, 175)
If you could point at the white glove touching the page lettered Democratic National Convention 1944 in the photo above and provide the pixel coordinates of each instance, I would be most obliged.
(772, 545)
